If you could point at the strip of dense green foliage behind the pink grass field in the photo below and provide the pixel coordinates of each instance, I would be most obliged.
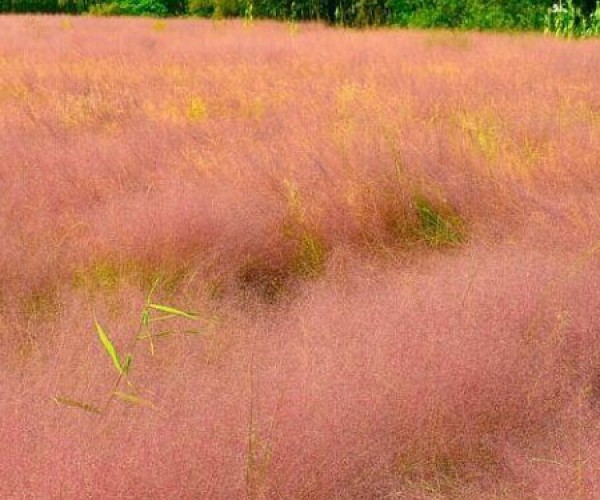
(463, 14)
